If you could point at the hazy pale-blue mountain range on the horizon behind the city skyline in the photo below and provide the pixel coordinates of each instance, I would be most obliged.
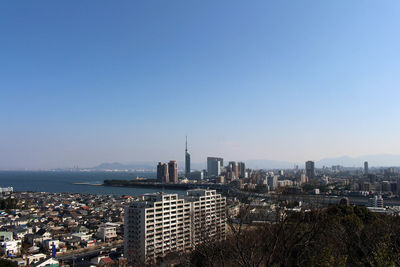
(378, 160)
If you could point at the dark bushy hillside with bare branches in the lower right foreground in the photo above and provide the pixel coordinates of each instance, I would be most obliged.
(336, 236)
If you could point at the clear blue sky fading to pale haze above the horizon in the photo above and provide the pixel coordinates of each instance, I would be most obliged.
(84, 82)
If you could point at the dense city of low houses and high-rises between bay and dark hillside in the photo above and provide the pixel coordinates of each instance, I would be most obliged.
(70, 229)
